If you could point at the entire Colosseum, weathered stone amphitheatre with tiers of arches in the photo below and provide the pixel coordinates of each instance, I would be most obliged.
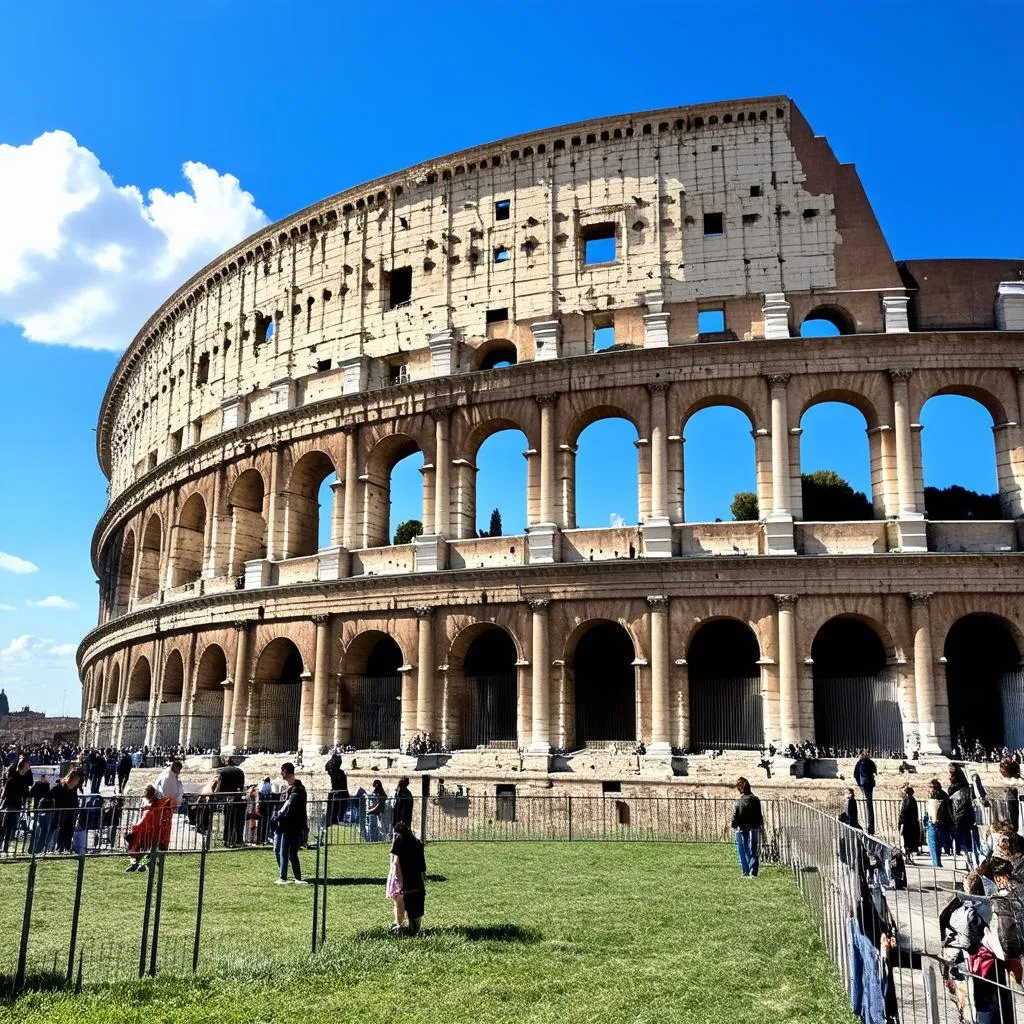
(433, 309)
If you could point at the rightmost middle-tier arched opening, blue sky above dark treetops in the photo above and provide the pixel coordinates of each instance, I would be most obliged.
(959, 459)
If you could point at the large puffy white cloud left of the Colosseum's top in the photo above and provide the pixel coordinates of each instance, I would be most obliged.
(86, 263)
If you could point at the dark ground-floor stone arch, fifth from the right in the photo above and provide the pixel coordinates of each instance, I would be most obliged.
(482, 693)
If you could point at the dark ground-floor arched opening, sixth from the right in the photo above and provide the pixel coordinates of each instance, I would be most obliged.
(374, 684)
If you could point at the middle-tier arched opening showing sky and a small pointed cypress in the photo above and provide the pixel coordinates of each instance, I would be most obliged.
(501, 485)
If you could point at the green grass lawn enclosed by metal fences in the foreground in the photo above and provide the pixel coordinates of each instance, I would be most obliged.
(584, 932)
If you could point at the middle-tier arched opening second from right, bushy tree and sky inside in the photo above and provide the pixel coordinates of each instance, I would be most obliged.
(835, 448)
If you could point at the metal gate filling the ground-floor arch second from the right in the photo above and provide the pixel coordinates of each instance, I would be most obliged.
(860, 713)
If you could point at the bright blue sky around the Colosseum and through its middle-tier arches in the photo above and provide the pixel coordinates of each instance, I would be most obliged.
(301, 101)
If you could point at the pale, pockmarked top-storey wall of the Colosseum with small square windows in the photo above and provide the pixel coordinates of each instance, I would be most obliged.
(276, 318)
